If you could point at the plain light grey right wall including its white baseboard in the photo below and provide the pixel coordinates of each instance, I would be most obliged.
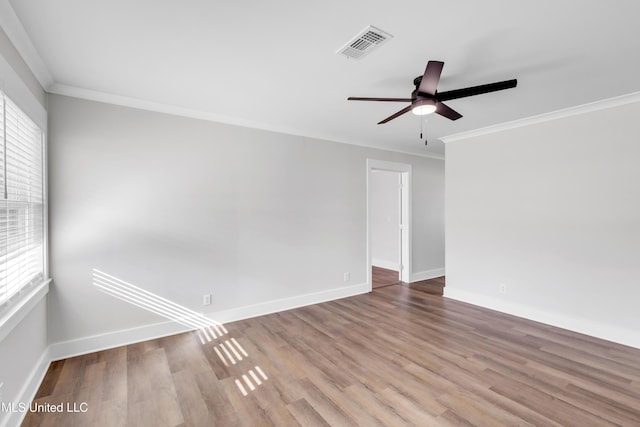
(551, 210)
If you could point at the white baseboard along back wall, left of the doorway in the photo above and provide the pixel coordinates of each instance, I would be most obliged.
(65, 349)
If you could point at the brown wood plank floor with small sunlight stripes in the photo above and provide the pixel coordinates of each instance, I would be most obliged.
(395, 357)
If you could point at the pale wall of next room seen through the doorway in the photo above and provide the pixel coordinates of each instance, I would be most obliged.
(385, 219)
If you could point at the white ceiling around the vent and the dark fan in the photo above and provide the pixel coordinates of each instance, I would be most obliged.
(273, 64)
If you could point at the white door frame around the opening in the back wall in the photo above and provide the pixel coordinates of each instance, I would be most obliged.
(404, 170)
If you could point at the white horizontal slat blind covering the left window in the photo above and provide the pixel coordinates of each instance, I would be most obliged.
(21, 201)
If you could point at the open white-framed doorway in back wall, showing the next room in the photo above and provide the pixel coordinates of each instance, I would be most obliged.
(388, 222)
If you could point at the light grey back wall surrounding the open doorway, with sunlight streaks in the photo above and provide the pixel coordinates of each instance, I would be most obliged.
(182, 207)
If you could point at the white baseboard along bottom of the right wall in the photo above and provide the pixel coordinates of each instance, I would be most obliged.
(575, 324)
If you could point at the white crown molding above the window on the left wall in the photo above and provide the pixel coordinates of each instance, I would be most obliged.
(15, 31)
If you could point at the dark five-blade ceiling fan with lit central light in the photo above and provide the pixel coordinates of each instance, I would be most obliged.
(425, 99)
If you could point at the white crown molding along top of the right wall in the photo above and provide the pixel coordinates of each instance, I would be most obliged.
(546, 117)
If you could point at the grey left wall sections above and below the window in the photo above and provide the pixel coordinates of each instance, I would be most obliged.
(23, 333)
